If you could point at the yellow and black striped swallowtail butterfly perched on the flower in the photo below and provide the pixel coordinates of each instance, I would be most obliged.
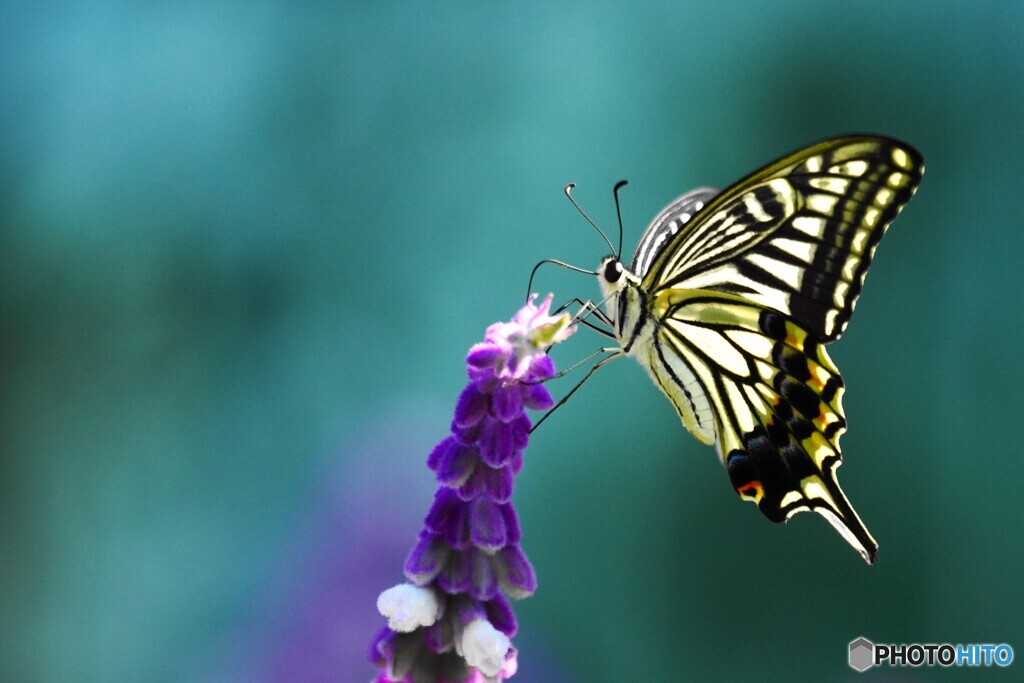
(732, 298)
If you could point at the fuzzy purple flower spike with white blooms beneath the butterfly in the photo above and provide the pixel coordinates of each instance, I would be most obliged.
(453, 623)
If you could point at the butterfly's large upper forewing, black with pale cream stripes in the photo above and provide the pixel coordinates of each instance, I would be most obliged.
(797, 236)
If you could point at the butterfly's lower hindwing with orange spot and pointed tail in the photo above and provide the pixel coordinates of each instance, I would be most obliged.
(773, 396)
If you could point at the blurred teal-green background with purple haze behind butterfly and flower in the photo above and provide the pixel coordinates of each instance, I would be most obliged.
(244, 248)
